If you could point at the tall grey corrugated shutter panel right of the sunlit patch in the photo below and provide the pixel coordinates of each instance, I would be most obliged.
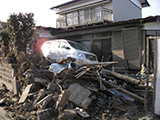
(131, 47)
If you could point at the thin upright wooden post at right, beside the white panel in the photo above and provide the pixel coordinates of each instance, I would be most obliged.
(146, 92)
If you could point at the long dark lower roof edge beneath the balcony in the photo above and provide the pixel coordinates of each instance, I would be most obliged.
(111, 24)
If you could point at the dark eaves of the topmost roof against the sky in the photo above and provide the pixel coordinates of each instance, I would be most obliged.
(144, 3)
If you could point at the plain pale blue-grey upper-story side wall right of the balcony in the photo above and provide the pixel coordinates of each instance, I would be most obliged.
(125, 10)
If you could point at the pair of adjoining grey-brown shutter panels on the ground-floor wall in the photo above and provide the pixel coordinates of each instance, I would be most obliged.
(126, 47)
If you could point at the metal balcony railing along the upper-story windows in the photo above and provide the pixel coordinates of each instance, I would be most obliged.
(86, 16)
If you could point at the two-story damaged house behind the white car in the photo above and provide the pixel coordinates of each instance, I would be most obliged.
(113, 30)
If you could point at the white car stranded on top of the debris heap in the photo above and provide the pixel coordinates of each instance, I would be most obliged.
(61, 48)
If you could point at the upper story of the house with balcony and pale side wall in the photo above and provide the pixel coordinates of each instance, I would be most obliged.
(85, 12)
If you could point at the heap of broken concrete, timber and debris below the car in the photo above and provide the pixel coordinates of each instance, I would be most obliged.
(69, 90)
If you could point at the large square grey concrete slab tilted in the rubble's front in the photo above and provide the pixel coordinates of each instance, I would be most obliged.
(79, 95)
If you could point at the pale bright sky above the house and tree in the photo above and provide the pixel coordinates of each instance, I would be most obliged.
(45, 17)
